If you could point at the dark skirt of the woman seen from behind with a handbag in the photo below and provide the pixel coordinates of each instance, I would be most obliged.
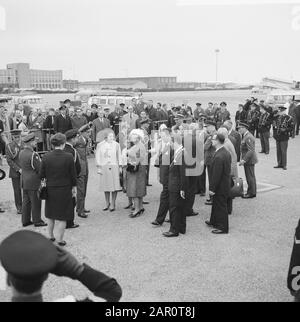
(59, 204)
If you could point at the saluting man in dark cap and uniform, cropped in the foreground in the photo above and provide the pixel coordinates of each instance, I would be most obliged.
(26, 275)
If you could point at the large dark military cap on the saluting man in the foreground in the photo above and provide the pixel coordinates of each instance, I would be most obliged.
(27, 254)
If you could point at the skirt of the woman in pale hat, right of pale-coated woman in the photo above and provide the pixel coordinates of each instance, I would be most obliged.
(136, 183)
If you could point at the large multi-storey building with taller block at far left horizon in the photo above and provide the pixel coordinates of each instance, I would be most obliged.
(21, 76)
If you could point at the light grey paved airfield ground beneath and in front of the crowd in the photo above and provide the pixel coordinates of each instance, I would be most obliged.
(250, 264)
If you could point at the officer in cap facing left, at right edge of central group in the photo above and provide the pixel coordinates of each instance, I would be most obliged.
(249, 159)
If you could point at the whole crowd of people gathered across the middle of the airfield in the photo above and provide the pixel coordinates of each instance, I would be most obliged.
(50, 149)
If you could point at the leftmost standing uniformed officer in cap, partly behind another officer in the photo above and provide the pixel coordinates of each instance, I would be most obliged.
(12, 152)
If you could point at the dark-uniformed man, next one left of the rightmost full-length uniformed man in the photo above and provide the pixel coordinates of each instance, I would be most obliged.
(264, 127)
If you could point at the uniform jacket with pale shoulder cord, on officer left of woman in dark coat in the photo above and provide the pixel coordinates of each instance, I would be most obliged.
(30, 163)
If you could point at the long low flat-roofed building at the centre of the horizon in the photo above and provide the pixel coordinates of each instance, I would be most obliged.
(151, 82)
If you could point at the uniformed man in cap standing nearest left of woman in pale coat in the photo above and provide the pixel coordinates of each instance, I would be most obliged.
(81, 147)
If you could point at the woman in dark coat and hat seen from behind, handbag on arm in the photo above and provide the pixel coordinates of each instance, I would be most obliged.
(58, 169)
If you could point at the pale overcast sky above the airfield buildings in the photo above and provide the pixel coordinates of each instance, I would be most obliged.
(89, 39)
